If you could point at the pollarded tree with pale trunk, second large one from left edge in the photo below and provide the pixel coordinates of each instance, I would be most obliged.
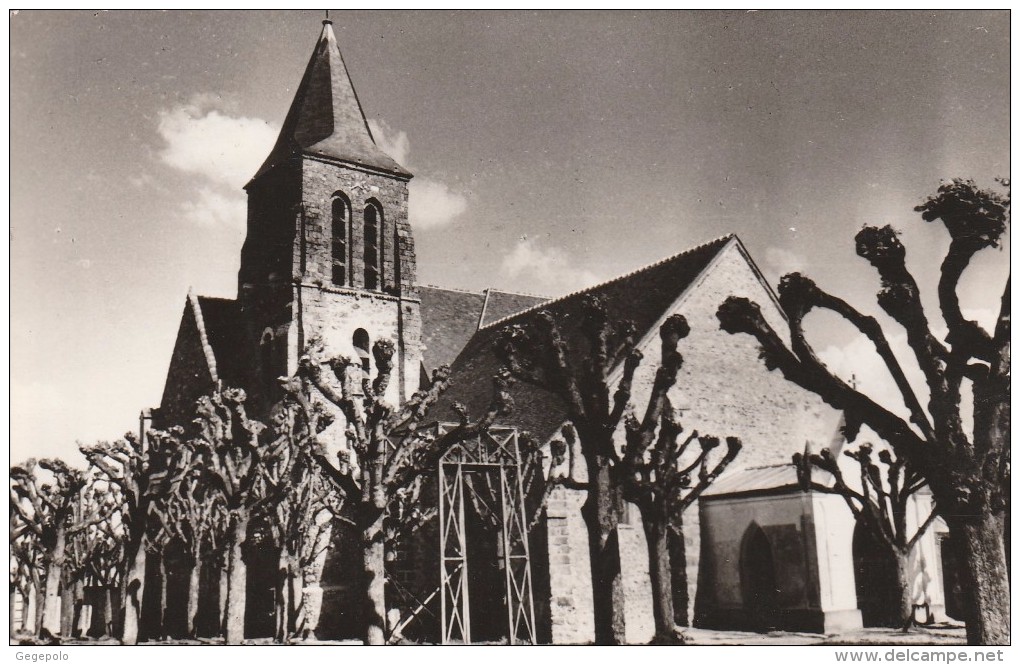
(137, 469)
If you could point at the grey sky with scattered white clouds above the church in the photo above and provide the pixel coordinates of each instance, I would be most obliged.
(551, 151)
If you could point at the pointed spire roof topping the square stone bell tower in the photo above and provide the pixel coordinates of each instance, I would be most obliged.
(326, 118)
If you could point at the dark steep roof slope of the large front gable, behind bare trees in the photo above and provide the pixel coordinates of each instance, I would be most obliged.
(641, 297)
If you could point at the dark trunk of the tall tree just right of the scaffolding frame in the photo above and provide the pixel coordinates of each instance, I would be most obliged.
(601, 514)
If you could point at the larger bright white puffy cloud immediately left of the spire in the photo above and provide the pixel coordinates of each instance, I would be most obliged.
(222, 148)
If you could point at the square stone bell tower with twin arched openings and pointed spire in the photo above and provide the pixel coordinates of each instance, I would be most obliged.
(329, 253)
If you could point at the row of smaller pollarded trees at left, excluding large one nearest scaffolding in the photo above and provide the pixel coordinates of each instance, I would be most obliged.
(193, 499)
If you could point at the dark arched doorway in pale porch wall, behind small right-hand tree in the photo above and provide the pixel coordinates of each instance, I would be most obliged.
(876, 578)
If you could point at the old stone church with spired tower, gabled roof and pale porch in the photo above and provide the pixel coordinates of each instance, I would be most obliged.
(330, 255)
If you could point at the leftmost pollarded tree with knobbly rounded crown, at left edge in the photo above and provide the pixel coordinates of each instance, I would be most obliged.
(47, 508)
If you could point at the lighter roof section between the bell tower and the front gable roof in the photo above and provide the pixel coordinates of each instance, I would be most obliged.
(450, 318)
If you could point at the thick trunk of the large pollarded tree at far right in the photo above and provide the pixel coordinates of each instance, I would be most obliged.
(986, 585)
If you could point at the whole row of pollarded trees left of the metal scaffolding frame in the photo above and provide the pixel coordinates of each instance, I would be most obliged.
(205, 498)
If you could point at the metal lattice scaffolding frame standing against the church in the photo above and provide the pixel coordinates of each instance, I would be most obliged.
(495, 451)
